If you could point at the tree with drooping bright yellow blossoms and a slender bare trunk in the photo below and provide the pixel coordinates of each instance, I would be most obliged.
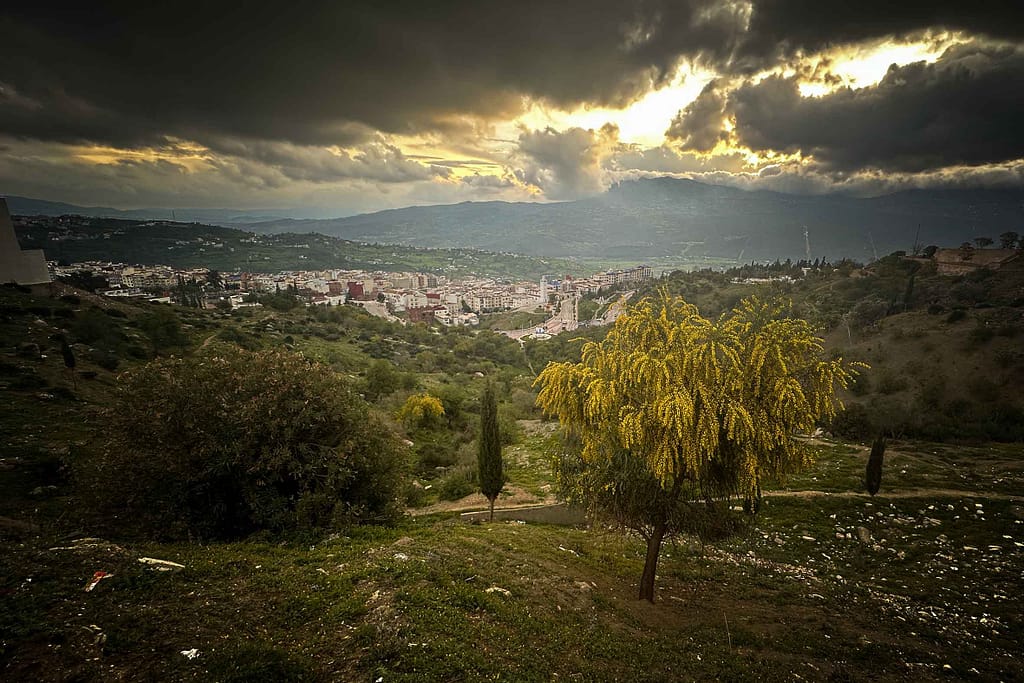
(672, 410)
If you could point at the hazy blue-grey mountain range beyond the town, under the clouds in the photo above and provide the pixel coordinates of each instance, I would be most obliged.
(675, 219)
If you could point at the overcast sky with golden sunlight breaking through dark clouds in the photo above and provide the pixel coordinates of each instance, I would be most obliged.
(355, 107)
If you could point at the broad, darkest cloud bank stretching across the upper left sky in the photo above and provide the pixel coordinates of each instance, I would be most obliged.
(317, 73)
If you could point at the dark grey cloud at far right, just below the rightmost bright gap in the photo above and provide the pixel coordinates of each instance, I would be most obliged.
(965, 109)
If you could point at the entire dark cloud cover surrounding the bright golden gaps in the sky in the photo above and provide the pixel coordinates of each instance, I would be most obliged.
(268, 88)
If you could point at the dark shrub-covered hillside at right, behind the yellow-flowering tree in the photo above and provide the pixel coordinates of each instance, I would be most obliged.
(944, 352)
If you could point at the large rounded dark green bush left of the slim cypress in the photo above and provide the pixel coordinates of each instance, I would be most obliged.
(229, 443)
